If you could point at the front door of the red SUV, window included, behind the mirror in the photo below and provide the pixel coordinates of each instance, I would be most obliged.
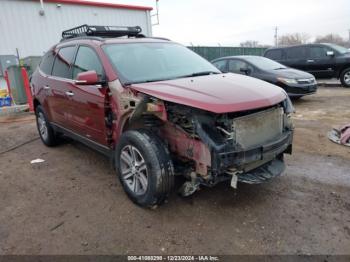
(87, 102)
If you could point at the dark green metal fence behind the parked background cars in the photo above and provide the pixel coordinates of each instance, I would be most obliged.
(211, 52)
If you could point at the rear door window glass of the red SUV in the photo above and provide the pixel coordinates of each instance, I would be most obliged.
(63, 61)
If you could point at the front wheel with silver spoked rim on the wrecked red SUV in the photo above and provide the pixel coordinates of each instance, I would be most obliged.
(144, 167)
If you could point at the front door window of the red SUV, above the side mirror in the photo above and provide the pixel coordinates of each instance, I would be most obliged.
(87, 60)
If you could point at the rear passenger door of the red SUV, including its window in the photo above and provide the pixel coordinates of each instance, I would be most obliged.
(58, 84)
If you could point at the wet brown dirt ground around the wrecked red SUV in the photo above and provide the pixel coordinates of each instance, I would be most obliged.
(73, 204)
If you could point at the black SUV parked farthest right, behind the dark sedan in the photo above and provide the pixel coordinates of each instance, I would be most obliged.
(321, 60)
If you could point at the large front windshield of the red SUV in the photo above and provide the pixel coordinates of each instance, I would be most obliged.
(148, 62)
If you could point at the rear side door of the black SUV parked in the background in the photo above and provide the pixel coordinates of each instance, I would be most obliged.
(296, 57)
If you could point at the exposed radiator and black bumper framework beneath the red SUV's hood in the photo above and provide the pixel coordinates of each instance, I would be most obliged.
(238, 142)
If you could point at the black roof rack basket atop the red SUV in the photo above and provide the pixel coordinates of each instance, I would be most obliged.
(103, 31)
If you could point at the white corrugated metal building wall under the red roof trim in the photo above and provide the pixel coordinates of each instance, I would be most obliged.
(22, 27)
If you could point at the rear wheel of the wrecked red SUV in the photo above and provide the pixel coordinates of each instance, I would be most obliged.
(46, 132)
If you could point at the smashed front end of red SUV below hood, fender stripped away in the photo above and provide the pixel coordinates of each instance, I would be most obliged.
(208, 148)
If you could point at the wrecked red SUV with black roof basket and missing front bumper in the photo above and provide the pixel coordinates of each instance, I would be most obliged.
(158, 110)
